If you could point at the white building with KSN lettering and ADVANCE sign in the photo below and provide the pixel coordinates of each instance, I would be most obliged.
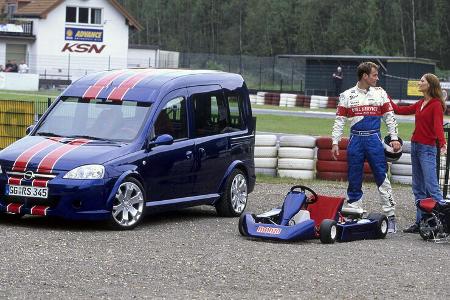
(66, 39)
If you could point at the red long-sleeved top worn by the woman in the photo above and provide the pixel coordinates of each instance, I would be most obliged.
(429, 121)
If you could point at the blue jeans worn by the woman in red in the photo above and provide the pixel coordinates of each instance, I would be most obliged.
(424, 179)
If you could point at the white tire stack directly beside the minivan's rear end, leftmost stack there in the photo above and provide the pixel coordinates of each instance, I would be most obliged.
(266, 153)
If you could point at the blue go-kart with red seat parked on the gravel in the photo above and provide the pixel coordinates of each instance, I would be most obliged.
(306, 215)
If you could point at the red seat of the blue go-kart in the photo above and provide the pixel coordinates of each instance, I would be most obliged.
(325, 207)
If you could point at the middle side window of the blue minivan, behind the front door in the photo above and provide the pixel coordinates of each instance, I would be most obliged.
(210, 114)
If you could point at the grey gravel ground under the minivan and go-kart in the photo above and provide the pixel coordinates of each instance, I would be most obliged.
(194, 254)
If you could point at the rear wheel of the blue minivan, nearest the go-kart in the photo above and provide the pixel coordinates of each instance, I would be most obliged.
(234, 199)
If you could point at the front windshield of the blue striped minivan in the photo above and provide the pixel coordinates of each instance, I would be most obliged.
(95, 119)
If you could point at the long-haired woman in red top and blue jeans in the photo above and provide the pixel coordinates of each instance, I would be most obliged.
(428, 133)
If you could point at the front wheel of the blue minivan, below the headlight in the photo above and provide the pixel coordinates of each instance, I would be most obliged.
(128, 206)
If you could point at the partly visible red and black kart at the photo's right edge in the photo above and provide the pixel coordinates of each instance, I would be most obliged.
(435, 222)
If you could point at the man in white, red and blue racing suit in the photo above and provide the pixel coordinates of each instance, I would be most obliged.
(365, 105)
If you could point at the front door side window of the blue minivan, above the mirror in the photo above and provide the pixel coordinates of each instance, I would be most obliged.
(173, 119)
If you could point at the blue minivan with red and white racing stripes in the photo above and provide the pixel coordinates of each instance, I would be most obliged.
(118, 144)
